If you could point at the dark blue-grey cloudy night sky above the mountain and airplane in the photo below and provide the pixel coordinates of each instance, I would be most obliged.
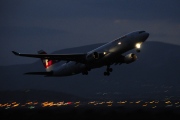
(30, 25)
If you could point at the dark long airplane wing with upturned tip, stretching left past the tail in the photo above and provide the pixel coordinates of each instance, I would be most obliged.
(80, 57)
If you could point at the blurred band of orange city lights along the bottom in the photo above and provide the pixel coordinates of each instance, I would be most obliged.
(138, 103)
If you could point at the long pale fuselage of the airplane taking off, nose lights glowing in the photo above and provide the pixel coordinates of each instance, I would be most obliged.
(111, 52)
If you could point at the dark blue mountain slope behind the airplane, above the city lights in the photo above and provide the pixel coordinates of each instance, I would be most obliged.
(155, 75)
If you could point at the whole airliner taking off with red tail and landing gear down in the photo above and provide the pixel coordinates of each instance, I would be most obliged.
(105, 55)
